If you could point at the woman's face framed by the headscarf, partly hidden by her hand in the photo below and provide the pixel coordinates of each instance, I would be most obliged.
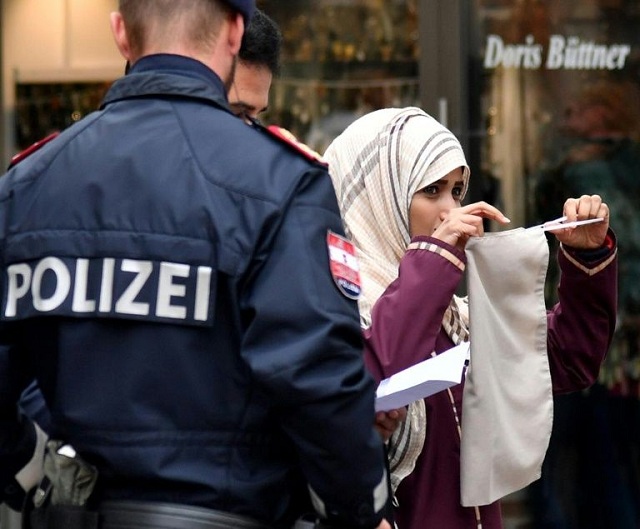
(430, 204)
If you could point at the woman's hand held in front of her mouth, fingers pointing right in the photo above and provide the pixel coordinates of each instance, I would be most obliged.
(459, 224)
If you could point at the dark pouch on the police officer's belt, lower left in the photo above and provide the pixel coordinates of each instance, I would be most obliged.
(61, 501)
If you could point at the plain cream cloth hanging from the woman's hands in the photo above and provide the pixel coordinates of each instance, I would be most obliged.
(507, 402)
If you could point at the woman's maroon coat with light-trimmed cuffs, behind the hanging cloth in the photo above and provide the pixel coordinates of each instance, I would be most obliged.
(407, 327)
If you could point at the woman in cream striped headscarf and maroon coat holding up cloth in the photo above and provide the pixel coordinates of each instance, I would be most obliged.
(400, 178)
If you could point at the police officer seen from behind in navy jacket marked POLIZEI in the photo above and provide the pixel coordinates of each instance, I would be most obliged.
(179, 285)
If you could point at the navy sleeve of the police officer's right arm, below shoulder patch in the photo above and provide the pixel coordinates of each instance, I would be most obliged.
(306, 352)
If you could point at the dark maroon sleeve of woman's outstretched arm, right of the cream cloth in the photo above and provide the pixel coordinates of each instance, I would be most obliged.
(581, 324)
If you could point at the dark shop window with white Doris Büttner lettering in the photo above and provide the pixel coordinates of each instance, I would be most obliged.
(555, 99)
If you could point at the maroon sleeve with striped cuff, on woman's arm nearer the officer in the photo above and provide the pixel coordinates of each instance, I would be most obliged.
(407, 318)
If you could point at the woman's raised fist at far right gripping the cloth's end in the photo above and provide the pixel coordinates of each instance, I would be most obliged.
(587, 236)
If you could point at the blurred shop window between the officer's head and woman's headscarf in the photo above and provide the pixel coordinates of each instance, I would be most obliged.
(342, 59)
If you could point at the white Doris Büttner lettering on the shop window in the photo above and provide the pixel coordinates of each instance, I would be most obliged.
(560, 53)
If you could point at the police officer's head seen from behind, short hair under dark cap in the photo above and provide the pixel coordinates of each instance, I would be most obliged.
(207, 30)
